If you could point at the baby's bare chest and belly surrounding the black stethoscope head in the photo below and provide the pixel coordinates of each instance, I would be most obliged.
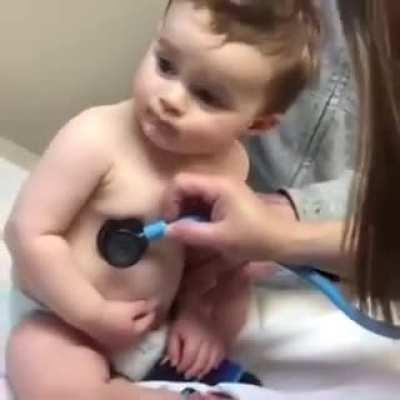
(132, 189)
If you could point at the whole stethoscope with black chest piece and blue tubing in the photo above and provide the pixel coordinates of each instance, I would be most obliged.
(122, 243)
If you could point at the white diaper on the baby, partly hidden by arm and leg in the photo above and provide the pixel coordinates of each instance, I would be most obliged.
(133, 363)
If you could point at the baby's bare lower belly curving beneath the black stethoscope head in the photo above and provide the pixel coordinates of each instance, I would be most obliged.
(156, 276)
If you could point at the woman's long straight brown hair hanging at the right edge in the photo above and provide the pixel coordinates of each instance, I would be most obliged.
(372, 28)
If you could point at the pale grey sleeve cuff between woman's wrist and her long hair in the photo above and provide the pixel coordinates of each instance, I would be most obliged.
(324, 200)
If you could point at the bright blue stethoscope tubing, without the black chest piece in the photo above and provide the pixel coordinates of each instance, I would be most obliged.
(312, 276)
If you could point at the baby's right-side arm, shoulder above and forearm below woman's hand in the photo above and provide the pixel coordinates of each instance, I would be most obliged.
(199, 340)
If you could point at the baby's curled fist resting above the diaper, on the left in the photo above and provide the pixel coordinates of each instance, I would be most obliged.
(120, 323)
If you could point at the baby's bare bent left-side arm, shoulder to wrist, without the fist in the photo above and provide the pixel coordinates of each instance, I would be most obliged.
(62, 183)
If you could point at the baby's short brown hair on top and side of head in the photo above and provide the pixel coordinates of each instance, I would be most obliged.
(287, 30)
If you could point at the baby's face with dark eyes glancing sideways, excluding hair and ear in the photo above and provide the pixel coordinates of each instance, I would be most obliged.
(194, 93)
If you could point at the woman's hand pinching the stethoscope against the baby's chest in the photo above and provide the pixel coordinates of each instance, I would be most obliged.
(241, 223)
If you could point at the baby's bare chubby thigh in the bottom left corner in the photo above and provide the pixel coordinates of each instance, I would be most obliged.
(47, 359)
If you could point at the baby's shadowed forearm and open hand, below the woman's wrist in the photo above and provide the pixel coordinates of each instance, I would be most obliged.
(211, 310)
